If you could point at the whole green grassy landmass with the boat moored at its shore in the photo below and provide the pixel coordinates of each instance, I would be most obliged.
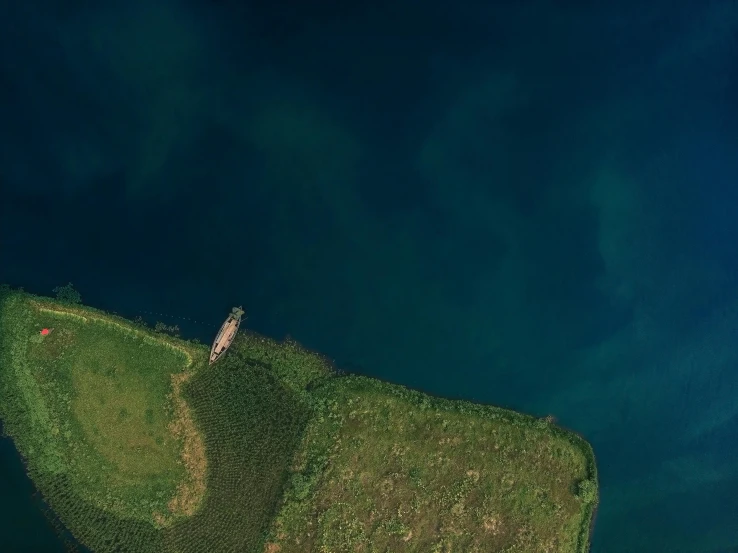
(138, 445)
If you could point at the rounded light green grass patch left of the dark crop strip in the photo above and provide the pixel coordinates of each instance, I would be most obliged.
(108, 390)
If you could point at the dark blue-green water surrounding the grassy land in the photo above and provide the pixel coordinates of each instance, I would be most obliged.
(531, 205)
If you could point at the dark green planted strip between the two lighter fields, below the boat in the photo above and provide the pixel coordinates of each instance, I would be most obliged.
(251, 423)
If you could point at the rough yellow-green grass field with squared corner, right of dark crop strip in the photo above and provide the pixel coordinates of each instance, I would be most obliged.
(382, 469)
